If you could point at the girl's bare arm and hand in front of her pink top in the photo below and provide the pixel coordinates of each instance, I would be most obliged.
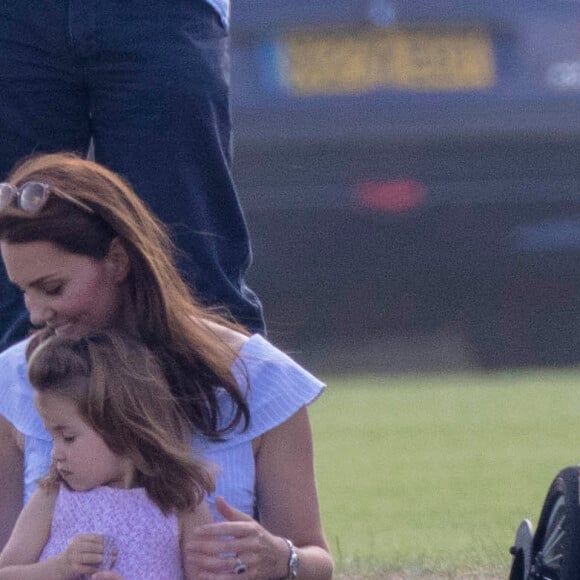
(19, 559)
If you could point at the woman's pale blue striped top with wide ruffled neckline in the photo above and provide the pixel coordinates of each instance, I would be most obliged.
(276, 387)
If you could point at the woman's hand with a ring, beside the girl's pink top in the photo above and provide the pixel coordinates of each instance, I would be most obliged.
(217, 549)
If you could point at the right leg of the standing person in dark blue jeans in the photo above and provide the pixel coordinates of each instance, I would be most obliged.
(160, 106)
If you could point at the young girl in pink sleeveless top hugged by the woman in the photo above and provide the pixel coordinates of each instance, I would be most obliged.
(123, 488)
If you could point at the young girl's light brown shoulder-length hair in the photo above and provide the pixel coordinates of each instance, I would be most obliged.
(120, 391)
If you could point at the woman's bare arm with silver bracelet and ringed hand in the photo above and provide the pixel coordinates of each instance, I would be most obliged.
(288, 507)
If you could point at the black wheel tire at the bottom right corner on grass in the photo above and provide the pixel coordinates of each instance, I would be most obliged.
(556, 545)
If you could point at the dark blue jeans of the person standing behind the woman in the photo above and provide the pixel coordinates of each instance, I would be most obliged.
(148, 81)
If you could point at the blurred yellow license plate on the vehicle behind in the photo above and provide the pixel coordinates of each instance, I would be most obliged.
(343, 62)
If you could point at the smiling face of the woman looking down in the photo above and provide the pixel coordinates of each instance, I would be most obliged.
(71, 293)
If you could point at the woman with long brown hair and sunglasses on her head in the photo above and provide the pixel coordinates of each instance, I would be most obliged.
(89, 256)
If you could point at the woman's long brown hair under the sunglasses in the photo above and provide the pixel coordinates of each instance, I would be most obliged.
(169, 320)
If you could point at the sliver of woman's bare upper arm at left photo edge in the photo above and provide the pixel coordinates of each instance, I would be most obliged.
(11, 479)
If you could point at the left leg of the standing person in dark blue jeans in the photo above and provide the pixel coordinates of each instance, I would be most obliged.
(42, 108)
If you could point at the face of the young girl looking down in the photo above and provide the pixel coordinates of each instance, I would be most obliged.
(79, 453)
